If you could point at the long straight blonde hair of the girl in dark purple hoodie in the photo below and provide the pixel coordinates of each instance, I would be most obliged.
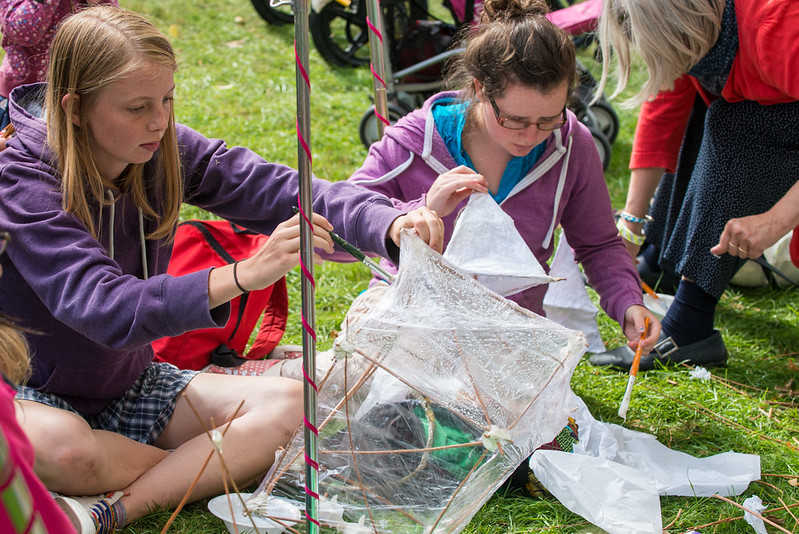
(92, 49)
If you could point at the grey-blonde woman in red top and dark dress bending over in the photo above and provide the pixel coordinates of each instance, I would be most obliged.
(717, 145)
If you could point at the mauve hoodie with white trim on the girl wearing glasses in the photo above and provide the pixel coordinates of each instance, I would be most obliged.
(566, 187)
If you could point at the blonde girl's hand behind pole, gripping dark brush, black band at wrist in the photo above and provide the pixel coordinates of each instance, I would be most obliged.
(281, 252)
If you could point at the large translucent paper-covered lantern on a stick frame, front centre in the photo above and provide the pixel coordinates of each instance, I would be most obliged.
(442, 389)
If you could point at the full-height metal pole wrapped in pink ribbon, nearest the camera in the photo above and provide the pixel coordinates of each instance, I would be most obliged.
(301, 45)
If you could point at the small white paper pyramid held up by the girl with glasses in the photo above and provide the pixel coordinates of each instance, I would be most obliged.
(486, 244)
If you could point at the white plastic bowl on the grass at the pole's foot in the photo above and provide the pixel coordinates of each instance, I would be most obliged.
(276, 507)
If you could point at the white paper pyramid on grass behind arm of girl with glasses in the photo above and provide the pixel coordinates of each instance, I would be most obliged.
(567, 302)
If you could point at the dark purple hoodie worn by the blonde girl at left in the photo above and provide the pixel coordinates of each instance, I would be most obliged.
(96, 307)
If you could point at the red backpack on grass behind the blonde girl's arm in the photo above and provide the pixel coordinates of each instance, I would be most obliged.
(202, 244)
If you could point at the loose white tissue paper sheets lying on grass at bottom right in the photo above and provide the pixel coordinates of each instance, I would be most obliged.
(616, 459)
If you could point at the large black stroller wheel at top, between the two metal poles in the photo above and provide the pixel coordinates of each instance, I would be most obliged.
(340, 33)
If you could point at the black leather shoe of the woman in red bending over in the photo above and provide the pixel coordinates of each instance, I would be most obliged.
(708, 352)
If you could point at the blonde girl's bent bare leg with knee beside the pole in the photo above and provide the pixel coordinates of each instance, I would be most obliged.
(270, 413)
